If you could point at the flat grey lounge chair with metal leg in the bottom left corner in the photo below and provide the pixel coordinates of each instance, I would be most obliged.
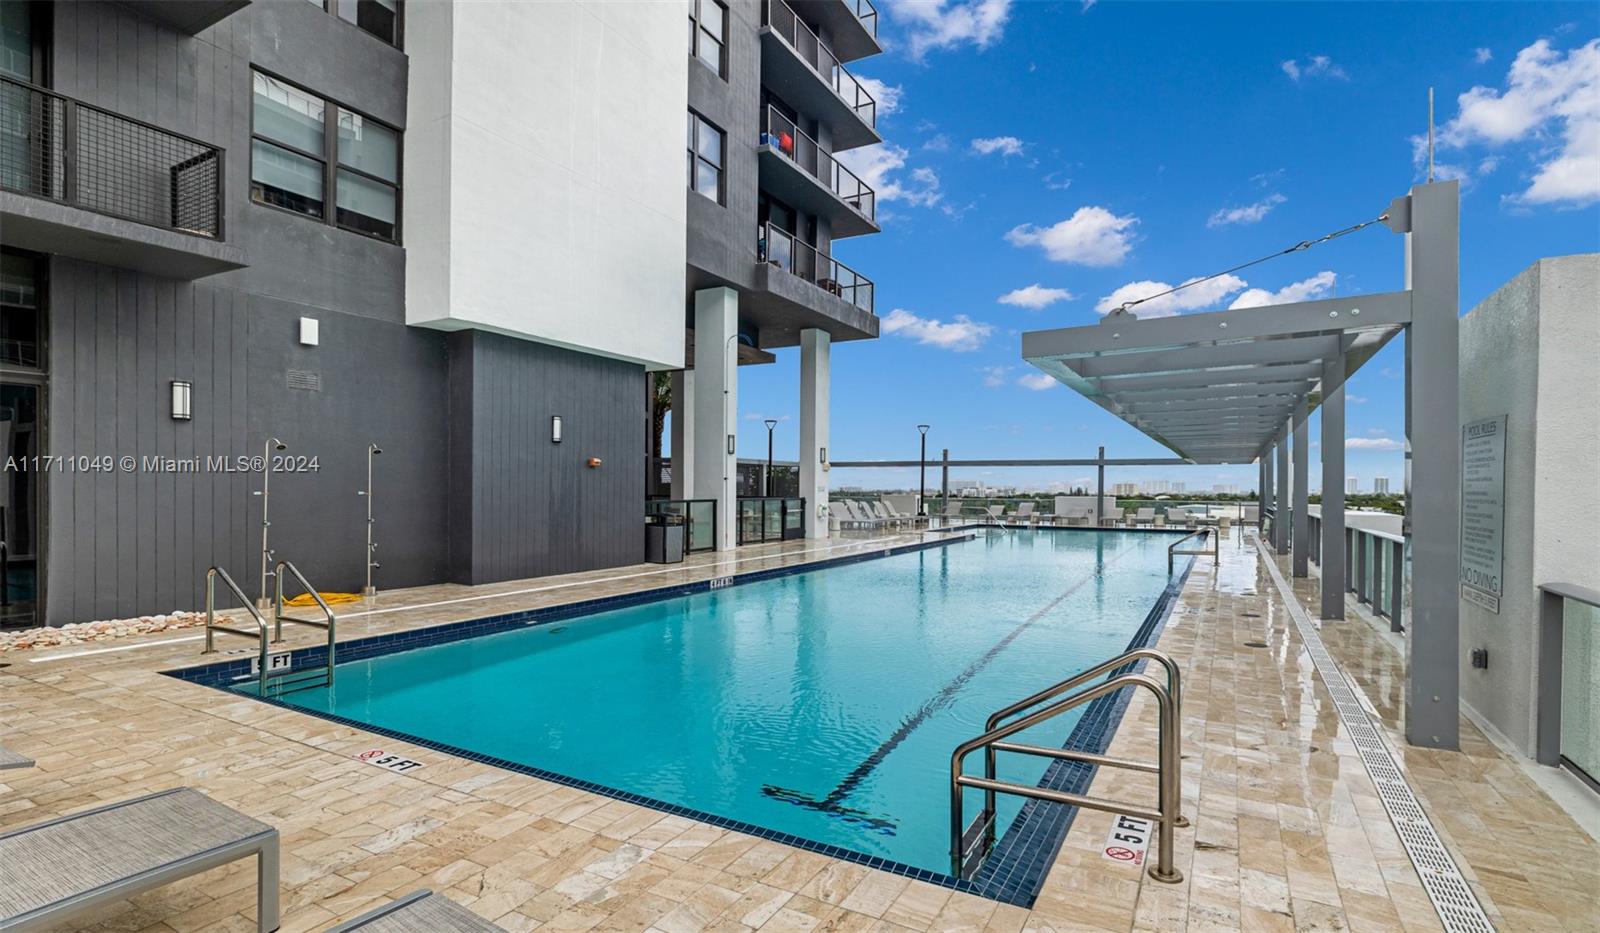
(66, 867)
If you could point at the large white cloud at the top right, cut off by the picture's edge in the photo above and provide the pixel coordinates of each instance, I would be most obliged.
(1551, 100)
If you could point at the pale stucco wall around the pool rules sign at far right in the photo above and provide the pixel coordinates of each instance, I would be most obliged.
(1532, 353)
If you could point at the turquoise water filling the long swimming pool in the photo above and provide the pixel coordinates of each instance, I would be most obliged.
(822, 705)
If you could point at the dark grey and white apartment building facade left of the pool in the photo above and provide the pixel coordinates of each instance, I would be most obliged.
(250, 241)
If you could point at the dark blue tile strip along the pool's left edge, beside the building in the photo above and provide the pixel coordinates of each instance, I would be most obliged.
(238, 670)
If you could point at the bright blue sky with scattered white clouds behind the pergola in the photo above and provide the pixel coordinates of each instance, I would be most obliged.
(1086, 150)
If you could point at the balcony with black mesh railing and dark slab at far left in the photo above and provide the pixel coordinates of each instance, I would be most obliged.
(87, 183)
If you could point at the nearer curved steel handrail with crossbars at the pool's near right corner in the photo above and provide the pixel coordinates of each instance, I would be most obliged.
(1167, 769)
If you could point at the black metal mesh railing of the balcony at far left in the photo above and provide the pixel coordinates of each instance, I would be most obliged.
(79, 154)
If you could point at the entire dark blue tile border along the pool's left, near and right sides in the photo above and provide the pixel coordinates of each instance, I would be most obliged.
(1012, 876)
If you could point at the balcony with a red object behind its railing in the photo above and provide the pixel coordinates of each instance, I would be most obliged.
(809, 178)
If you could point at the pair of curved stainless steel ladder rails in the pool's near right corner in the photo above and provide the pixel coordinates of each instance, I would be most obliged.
(970, 844)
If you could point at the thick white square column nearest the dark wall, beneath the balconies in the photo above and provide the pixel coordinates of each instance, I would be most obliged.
(718, 407)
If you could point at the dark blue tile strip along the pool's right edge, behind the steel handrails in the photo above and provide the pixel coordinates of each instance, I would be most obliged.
(1022, 860)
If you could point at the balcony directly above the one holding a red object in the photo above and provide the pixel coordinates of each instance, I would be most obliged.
(807, 74)
